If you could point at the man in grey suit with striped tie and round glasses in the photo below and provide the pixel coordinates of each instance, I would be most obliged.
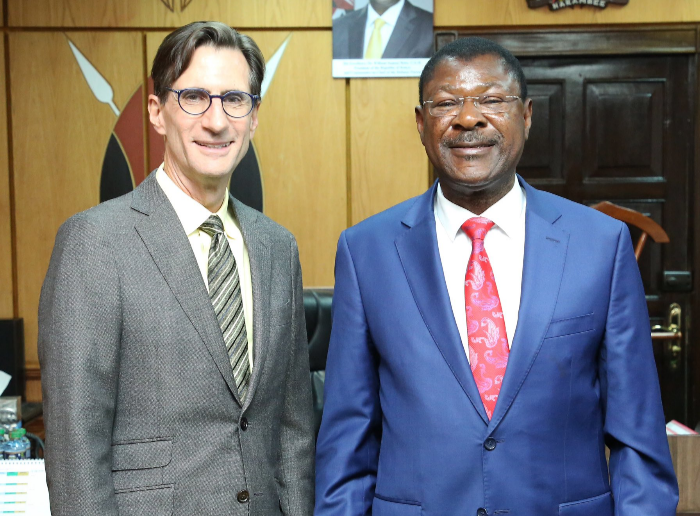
(171, 328)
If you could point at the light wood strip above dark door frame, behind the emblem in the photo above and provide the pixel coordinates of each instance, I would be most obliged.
(490, 13)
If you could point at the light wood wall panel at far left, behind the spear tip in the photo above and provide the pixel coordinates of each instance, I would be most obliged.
(60, 133)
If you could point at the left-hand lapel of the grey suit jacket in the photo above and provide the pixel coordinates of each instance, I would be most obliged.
(167, 243)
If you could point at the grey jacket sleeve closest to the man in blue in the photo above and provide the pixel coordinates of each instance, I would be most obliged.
(297, 432)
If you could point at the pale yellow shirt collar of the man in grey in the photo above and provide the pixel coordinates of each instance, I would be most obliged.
(190, 212)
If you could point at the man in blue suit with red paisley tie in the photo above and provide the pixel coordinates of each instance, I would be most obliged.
(489, 339)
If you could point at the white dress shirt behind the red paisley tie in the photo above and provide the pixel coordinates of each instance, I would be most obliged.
(504, 243)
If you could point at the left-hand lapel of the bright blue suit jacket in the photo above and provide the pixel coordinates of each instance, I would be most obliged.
(420, 257)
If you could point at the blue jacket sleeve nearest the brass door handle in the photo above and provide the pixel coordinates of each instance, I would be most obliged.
(642, 476)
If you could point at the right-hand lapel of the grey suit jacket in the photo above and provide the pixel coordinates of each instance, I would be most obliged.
(260, 258)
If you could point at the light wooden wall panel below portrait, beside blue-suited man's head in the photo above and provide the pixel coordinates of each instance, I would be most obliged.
(388, 161)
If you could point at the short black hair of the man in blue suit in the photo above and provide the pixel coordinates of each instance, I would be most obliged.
(466, 49)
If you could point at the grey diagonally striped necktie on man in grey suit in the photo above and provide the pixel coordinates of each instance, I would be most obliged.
(226, 298)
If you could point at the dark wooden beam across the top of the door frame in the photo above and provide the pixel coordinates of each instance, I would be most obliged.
(585, 41)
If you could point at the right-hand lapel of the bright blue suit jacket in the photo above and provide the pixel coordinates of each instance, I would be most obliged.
(543, 267)
